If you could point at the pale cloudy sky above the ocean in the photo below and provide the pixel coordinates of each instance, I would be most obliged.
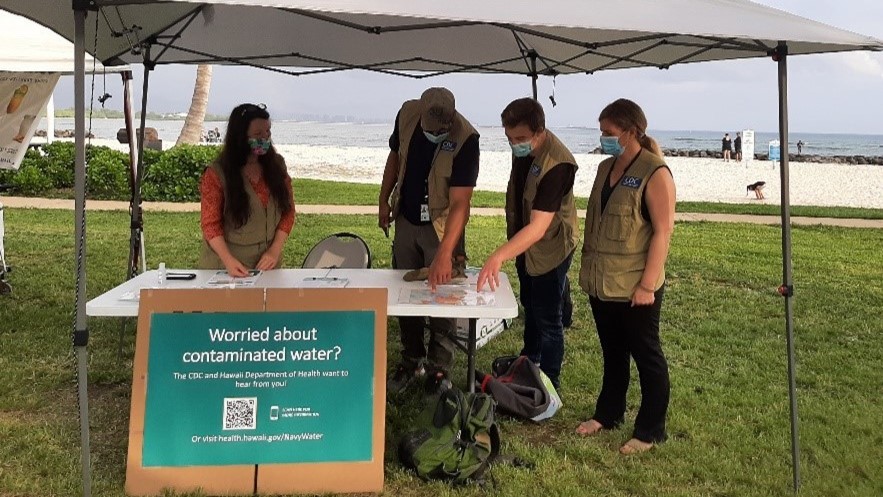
(833, 93)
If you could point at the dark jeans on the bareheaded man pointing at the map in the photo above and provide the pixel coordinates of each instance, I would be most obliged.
(543, 298)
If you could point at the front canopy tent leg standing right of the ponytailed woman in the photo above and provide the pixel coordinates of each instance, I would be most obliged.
(787, 288)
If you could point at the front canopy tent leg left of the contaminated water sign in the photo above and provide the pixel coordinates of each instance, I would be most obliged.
(81, 333)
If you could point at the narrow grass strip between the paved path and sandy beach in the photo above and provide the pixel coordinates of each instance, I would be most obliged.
(310, 191)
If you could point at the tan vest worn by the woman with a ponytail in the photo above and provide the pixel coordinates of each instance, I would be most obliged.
(618, 239)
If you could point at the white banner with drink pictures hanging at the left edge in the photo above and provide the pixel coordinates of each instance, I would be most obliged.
(22, 96)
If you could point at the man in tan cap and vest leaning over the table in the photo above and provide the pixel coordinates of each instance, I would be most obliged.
(426, 190)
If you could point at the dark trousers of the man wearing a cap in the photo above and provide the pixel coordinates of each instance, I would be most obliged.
(414, 247)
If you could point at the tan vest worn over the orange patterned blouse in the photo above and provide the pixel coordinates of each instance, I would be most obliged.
(248, 242)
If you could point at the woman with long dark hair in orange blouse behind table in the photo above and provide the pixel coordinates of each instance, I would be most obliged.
(247, 206)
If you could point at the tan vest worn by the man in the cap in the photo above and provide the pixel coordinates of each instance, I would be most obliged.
(442, 164)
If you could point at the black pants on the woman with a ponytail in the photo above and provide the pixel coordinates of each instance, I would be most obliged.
(632, 331)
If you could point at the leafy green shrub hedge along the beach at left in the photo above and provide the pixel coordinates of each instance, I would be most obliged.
(170, 175)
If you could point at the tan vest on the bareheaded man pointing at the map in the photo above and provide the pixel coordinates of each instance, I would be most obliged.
(562, 235)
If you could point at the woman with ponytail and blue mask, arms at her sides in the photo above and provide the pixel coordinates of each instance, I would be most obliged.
(629, 223)
